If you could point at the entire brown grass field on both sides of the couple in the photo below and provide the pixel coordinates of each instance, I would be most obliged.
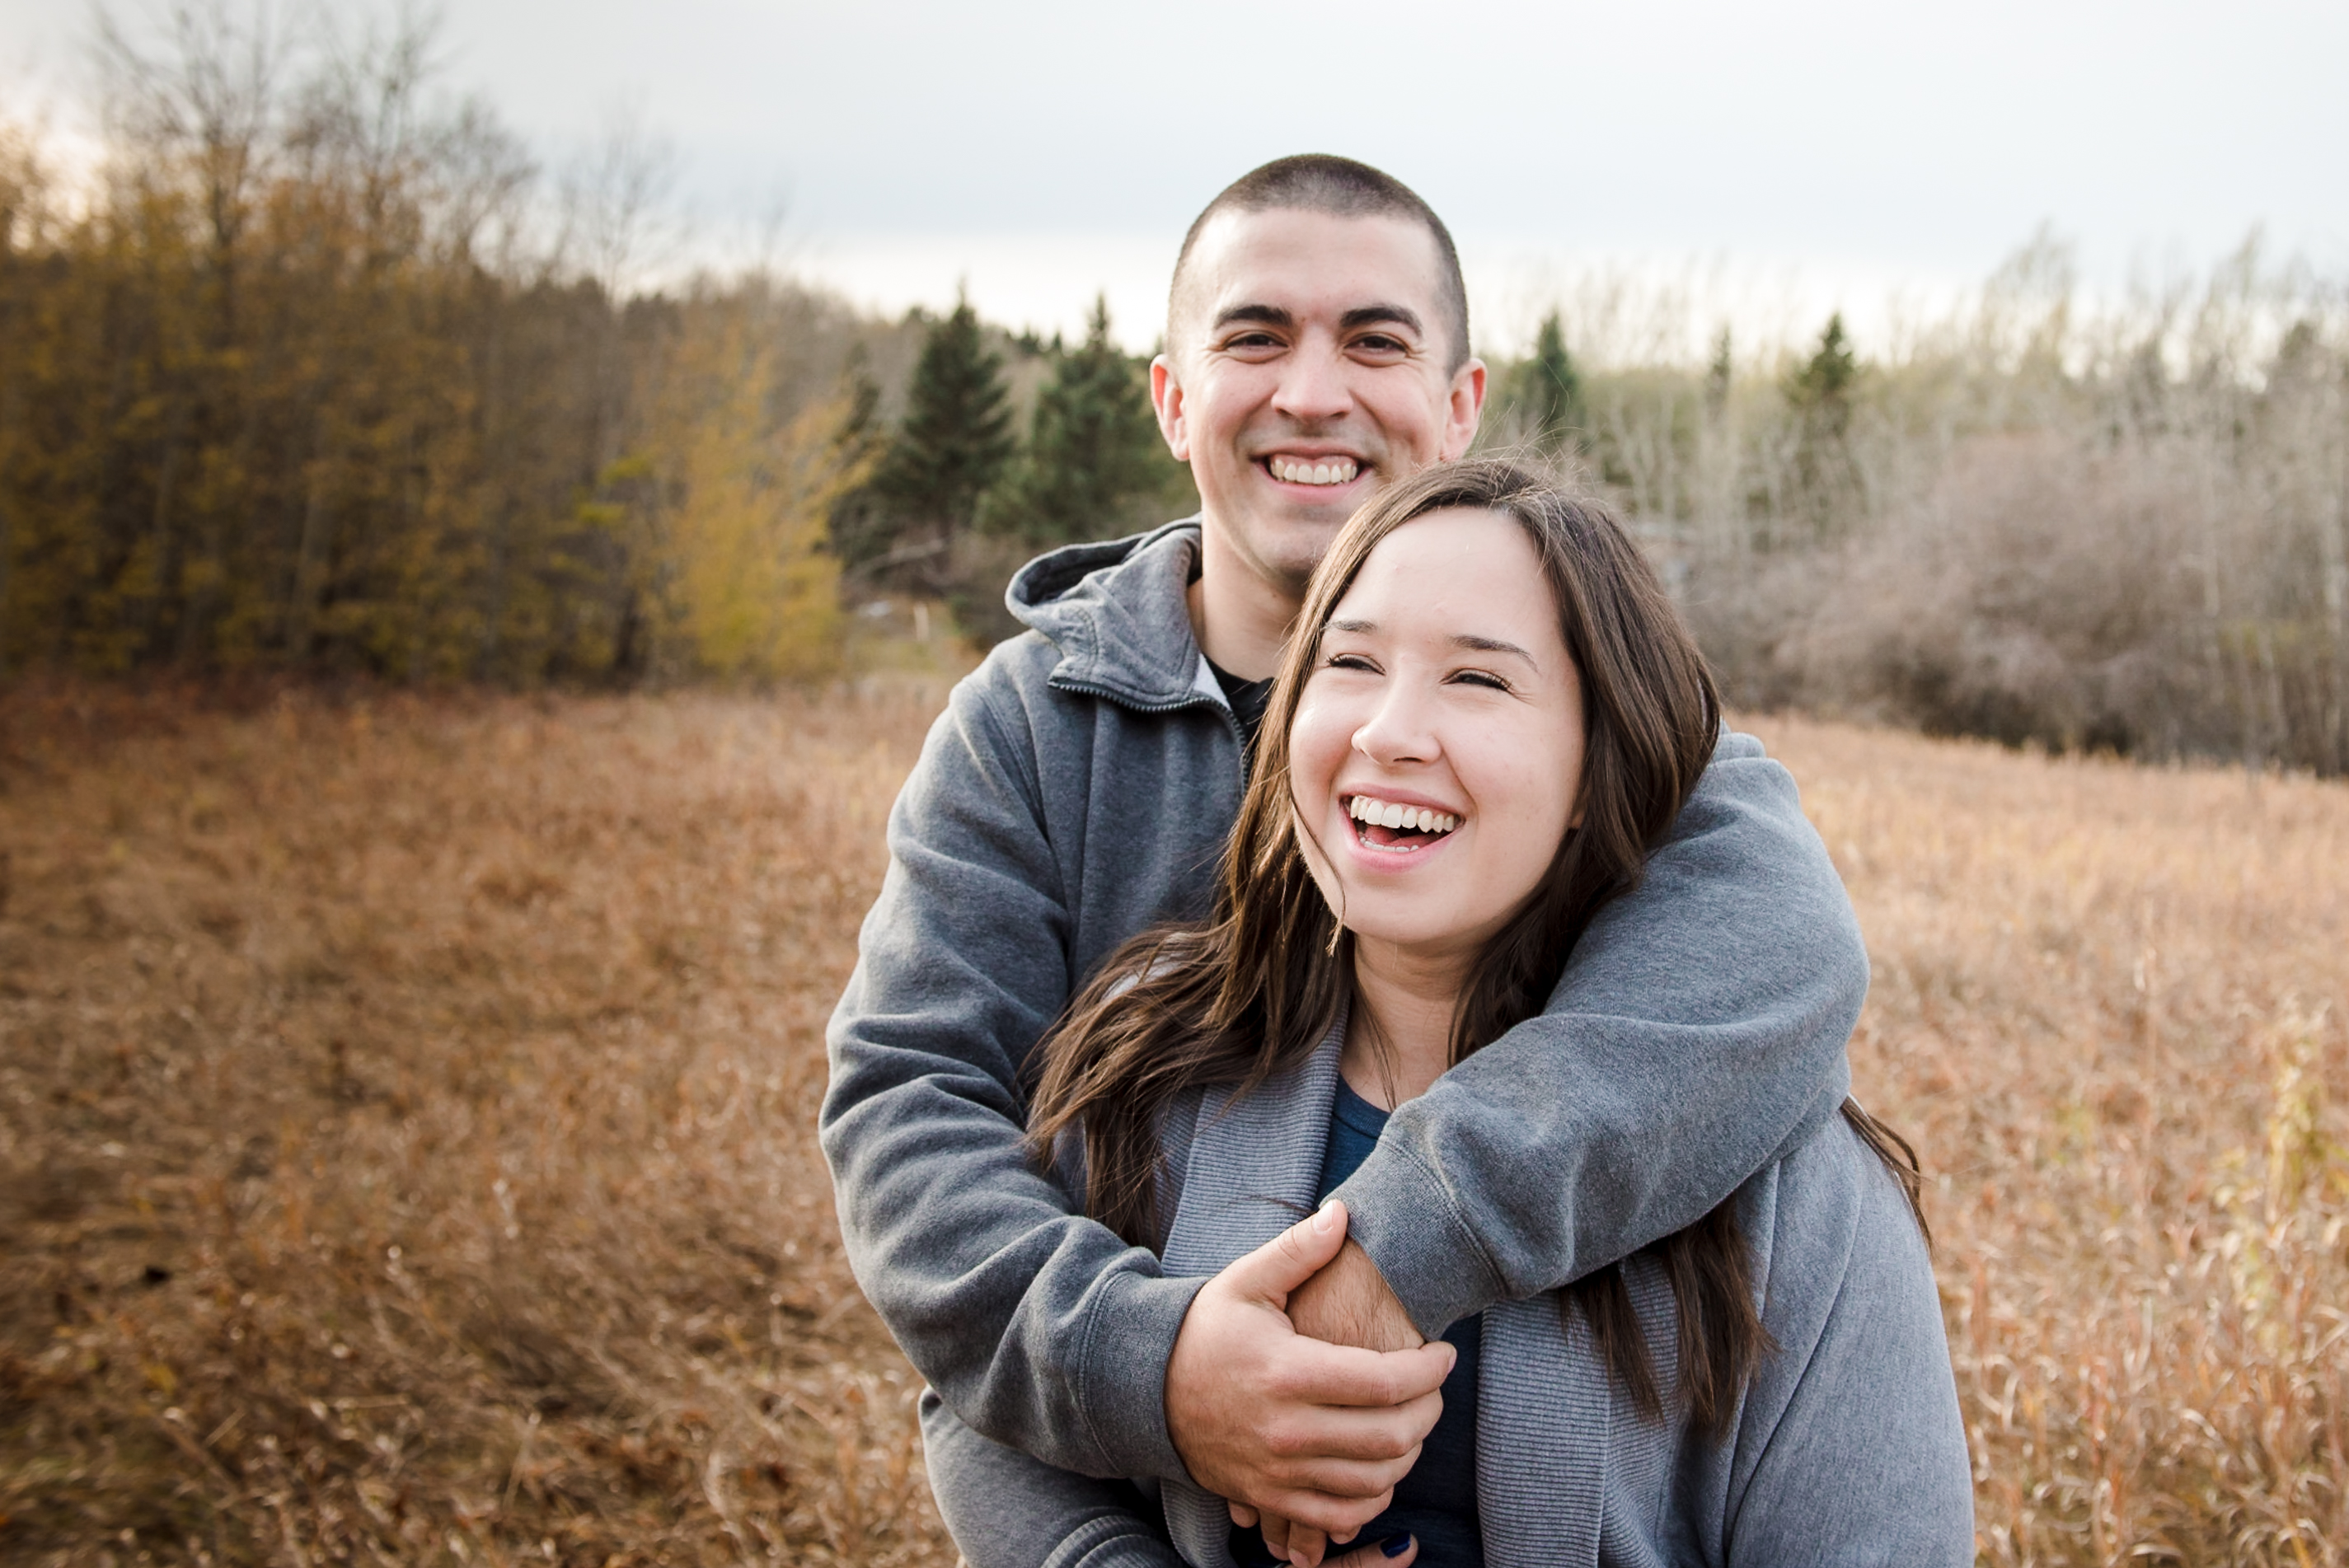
(408, 1133)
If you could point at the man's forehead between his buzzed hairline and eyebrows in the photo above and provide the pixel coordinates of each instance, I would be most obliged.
(1307, 264)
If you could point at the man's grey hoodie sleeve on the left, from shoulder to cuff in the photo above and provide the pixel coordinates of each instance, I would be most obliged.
(1039, 1327)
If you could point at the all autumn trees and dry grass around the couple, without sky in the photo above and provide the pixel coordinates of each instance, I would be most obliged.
(445, 738)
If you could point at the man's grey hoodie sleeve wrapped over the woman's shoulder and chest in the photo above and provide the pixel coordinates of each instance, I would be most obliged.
(1695, 1039)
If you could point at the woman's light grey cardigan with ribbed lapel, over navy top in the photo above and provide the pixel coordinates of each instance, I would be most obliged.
(1845, 1449)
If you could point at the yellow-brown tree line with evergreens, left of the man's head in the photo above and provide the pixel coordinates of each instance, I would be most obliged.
(325, 374)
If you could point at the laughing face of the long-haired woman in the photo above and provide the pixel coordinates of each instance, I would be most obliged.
(1443, 701)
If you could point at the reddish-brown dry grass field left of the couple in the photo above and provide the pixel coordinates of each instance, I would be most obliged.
(408, 1121)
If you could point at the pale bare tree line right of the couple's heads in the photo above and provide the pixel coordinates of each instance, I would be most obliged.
(2042, 520)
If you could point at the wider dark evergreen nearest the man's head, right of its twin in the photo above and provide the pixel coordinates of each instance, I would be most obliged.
(1093, 447)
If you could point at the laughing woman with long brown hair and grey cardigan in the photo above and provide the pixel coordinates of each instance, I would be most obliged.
(1488, 719)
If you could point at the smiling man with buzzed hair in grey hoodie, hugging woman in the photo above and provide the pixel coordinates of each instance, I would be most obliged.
(1079, 790)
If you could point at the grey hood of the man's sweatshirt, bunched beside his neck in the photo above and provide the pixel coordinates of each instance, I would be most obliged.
(1119, 614)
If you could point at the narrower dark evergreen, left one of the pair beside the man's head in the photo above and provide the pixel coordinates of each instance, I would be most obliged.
(957, 435)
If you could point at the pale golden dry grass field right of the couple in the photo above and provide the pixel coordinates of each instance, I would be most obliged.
(2111, 1011)
